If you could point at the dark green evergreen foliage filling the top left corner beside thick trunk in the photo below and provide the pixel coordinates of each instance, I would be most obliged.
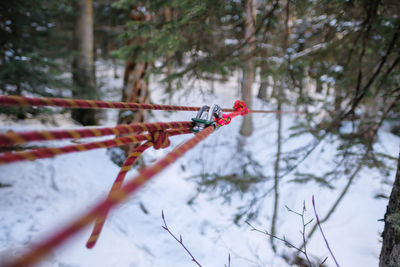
(27, 51)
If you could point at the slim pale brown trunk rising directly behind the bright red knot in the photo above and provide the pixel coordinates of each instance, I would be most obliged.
(248, 71)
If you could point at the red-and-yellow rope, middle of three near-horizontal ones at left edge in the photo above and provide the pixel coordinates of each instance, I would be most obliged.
(12, 138)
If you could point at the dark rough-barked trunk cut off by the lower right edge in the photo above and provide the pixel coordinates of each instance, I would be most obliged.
(390, 254)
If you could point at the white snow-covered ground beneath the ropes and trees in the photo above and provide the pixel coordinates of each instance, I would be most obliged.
(46, 194)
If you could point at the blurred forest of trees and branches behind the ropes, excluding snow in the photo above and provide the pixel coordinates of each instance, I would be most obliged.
(336, 62)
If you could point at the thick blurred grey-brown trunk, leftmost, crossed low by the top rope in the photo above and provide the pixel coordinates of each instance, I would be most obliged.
(83, 73)
